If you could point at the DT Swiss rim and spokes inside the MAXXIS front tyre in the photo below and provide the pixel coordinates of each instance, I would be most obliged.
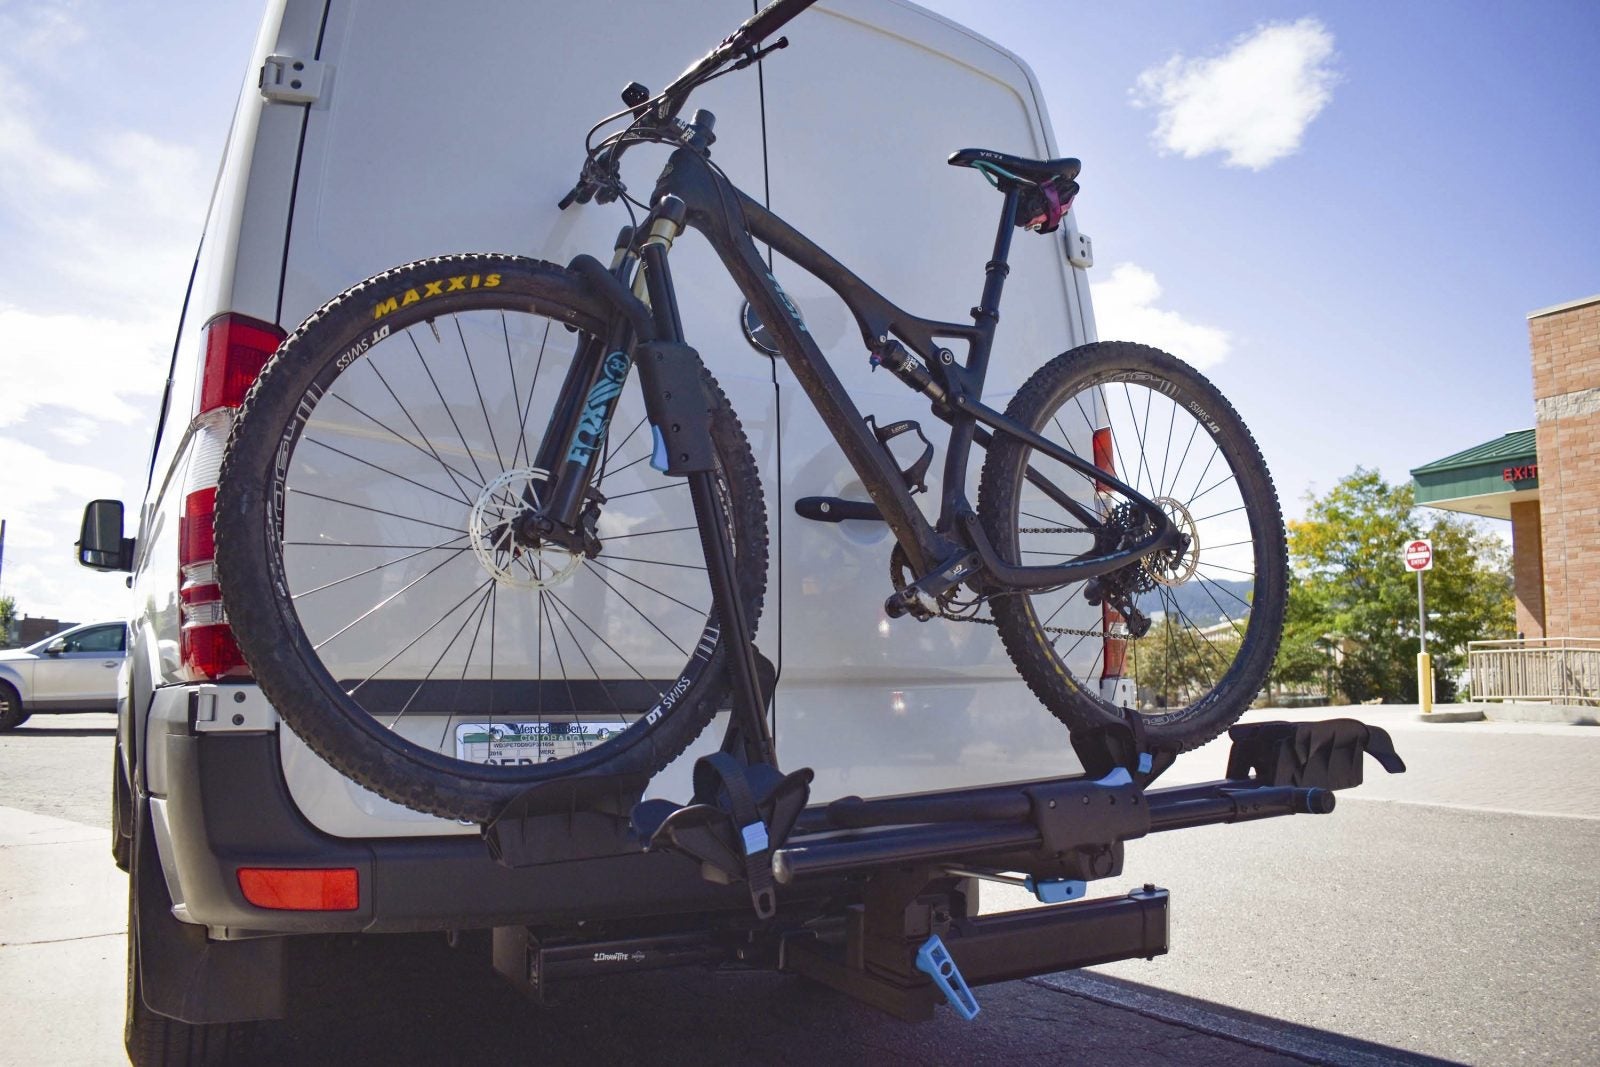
(394, 505)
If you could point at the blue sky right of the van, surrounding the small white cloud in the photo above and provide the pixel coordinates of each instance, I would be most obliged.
(1375, 282)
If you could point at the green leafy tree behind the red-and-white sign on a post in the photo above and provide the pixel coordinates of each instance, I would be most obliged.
(1346, 559)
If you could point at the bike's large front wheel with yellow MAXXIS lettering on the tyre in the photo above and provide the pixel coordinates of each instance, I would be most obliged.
(367, 570)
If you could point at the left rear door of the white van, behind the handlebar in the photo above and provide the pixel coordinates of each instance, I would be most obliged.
(446, 129)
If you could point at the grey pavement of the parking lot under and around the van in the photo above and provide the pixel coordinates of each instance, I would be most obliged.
(1441, 916)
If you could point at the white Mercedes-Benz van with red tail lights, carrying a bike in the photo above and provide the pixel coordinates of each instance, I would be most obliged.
(378, 132)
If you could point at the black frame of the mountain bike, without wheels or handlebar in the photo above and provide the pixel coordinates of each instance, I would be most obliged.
(956, 545)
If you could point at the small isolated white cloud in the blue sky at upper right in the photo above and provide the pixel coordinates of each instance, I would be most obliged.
(1252, 103)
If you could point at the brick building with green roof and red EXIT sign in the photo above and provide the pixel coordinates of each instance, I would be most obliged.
(1545, 481)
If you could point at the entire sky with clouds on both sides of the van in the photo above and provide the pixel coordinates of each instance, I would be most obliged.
(1343, 210)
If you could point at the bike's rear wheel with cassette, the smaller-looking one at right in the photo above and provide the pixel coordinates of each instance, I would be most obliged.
(1214, 609)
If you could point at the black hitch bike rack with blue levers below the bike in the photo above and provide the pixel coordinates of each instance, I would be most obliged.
(878, 898)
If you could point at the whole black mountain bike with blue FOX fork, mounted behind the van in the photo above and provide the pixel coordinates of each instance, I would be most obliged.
(465, 554)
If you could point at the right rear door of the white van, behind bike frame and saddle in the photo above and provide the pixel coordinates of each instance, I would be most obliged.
(862, 116)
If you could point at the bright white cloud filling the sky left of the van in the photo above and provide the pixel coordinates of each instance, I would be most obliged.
(100, 222)
